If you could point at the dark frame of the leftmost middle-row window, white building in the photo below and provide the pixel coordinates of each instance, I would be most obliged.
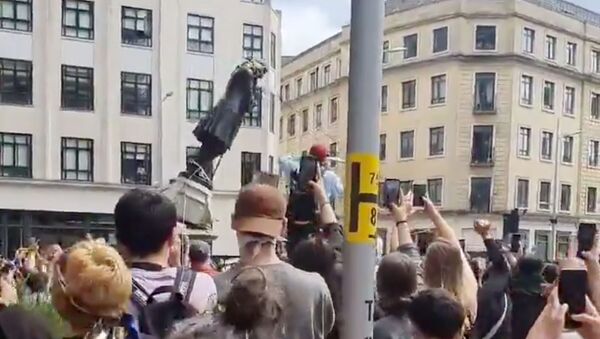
(19, 67)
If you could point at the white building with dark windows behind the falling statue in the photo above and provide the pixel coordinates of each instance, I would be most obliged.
(98, 97)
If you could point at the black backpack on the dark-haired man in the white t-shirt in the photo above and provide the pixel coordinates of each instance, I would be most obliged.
(156, 318)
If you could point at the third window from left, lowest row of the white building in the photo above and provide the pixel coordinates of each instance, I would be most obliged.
(136, 163)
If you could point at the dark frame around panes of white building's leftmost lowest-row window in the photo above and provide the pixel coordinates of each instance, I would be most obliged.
(23, 171)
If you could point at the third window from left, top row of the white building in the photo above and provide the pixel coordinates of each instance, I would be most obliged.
(136, 26)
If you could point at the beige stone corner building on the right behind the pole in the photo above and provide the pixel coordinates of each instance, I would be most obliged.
(473, 107)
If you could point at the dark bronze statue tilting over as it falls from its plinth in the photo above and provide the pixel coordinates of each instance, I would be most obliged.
(217, 131)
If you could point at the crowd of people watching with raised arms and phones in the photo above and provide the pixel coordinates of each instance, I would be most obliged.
(139, 289)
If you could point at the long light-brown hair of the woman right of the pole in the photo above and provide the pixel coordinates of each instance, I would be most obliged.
(444, 267)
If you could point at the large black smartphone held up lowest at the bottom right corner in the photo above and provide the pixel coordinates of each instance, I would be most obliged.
(572, 287)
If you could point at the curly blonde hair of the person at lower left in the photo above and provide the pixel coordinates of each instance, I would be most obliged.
(90, 283)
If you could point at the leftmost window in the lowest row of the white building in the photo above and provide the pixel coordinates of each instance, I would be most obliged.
(15, 155)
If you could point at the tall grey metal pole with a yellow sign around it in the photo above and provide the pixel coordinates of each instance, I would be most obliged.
(362, 168)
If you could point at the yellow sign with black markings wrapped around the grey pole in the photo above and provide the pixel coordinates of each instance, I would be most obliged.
(361, 192)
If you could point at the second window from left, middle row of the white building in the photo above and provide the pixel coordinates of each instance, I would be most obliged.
(77, 88)
